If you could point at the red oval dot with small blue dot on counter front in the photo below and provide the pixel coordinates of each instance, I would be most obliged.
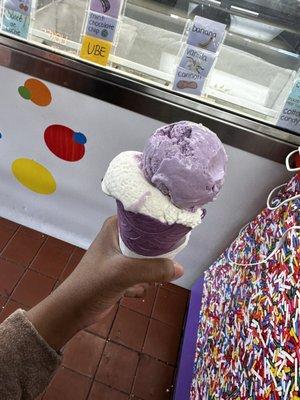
(65, 143)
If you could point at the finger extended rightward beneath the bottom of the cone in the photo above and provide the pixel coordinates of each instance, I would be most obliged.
(153, 270)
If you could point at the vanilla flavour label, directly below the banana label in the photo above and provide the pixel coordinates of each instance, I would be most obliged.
(198, 61)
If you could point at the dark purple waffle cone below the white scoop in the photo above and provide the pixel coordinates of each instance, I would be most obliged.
(147, 236)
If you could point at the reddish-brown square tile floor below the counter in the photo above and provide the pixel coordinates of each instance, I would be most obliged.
(131, 355)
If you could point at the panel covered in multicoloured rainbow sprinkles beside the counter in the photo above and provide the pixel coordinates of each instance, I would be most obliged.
(248, 345)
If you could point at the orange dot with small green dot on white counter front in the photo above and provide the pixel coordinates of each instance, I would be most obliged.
(36, 91)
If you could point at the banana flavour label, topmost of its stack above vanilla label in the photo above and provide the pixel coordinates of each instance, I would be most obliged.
(206, 34)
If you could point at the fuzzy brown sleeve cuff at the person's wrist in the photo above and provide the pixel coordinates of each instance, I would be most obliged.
(27, 361)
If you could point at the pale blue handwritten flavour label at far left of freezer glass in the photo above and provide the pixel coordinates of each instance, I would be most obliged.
(15, 23)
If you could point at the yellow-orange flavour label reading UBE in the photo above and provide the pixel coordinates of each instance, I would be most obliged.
(95, 50)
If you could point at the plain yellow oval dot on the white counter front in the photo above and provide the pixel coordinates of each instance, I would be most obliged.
(33, 176)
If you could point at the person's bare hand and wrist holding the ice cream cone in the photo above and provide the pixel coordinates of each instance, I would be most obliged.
(100, 280)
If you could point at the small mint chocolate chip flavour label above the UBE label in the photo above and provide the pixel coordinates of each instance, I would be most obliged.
(101, 26)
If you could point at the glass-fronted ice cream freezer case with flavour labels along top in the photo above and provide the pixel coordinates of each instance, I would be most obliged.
(253, 70)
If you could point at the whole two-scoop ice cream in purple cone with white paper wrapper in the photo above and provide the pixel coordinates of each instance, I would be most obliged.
(160, 192)
